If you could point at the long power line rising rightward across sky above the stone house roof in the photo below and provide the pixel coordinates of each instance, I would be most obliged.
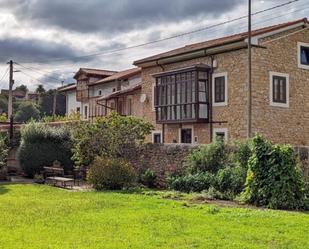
(167, 38)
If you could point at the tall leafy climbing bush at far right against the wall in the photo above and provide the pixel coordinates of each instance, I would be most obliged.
(274, 177)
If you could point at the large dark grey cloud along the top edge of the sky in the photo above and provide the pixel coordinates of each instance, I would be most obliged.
(107, 16)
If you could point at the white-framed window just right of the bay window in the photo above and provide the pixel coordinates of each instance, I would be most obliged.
(219, 89)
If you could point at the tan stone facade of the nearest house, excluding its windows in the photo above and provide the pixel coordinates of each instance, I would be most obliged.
(281, 125)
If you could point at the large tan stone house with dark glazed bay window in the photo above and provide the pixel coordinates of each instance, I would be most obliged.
(199, 91)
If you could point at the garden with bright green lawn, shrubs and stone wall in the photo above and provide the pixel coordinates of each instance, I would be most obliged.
(146, 196)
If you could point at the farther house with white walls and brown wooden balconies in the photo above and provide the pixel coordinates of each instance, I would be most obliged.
(97, 92)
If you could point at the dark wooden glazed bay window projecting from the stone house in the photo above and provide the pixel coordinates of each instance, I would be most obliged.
(182, 95)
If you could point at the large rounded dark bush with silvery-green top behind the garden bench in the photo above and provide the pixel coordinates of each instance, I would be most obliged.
(41, 145)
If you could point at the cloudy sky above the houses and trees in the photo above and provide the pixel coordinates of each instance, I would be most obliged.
(51, 38)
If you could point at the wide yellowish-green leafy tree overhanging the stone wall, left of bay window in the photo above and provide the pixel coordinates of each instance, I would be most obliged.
(112, 136)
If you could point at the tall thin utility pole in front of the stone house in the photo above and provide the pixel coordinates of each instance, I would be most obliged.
(249, 101)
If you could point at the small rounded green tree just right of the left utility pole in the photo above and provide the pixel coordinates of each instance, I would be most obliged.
(26, 112)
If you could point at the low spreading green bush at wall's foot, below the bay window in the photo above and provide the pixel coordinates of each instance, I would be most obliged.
(192, 183)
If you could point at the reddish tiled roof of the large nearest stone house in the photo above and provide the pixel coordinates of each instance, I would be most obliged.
(218, 42)
